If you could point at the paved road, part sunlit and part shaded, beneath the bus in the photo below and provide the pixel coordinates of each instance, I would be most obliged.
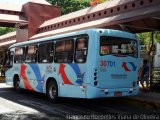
(30, 105)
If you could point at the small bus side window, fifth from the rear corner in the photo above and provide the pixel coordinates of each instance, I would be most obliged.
(19, 56)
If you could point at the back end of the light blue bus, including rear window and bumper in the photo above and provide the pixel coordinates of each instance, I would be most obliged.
(116, 73)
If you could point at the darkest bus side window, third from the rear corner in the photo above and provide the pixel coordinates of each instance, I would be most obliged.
(45, 53)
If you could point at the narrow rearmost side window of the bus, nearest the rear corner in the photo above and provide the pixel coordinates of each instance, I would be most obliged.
(81, 50)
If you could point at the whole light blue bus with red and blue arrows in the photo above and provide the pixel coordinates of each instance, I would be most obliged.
(92, 63)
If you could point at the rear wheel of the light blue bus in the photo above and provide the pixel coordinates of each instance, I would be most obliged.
(52, 91)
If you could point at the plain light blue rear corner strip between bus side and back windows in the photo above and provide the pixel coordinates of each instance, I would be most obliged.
(93, 52)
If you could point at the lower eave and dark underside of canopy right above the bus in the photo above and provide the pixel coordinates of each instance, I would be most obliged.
(140, 20)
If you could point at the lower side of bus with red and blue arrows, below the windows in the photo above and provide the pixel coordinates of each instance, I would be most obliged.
(69, 77)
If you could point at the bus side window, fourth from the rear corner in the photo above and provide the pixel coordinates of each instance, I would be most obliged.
(31, 53)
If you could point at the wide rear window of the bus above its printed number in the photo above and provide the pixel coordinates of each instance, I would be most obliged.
(118, 46)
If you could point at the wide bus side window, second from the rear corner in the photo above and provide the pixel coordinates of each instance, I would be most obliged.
(64, 51)
